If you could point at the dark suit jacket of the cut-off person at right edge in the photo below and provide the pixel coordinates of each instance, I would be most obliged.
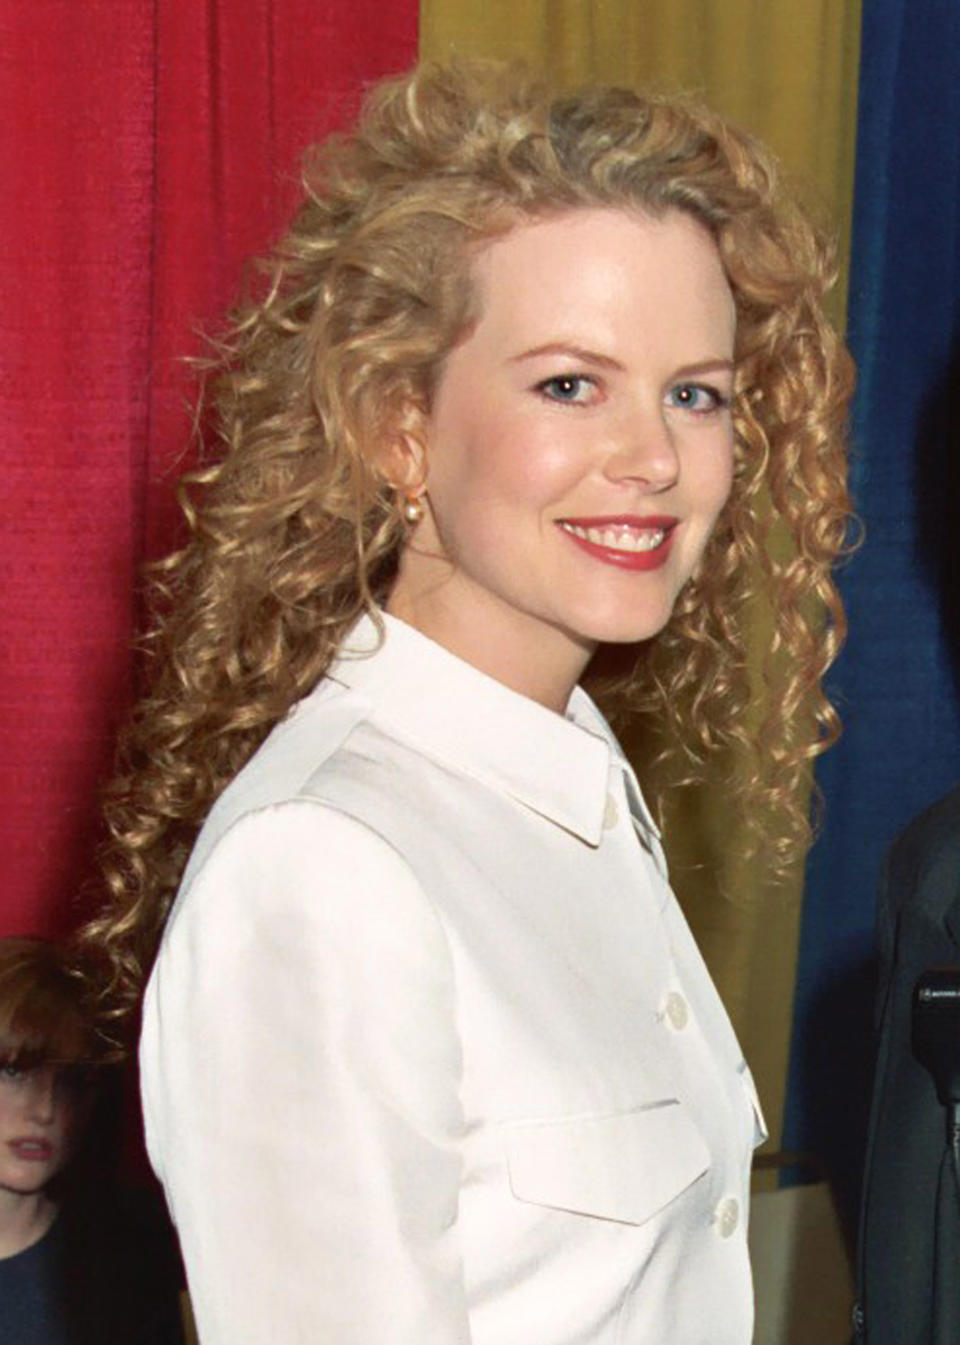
(919, 927)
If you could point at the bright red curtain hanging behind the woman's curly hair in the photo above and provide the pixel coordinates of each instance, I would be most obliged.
(147, 150)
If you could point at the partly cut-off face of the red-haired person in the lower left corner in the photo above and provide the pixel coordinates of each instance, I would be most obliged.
(38, 1121)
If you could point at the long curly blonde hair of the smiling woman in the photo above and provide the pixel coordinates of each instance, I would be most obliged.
(295, 531)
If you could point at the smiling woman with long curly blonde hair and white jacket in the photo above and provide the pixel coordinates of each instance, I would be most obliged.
(428, 1051)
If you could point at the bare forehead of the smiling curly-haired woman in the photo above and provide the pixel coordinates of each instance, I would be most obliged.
(600, 274)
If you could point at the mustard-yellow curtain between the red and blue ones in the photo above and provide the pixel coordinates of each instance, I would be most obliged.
(789, 73)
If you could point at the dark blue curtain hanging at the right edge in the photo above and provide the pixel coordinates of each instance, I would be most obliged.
(899, 680)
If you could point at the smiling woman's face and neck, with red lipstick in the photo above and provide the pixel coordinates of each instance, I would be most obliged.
(579, 449)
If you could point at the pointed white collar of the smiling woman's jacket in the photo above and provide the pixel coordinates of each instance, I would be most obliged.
(448, 711)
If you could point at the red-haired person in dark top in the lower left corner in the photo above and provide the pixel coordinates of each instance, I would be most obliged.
(80, 1265)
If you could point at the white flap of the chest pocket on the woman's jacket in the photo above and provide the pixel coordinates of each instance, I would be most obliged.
(625, 1167)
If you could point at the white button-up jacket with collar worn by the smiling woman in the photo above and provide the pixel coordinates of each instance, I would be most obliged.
(430, 1055)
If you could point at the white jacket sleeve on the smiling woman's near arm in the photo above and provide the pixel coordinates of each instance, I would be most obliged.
(301, 1070)
